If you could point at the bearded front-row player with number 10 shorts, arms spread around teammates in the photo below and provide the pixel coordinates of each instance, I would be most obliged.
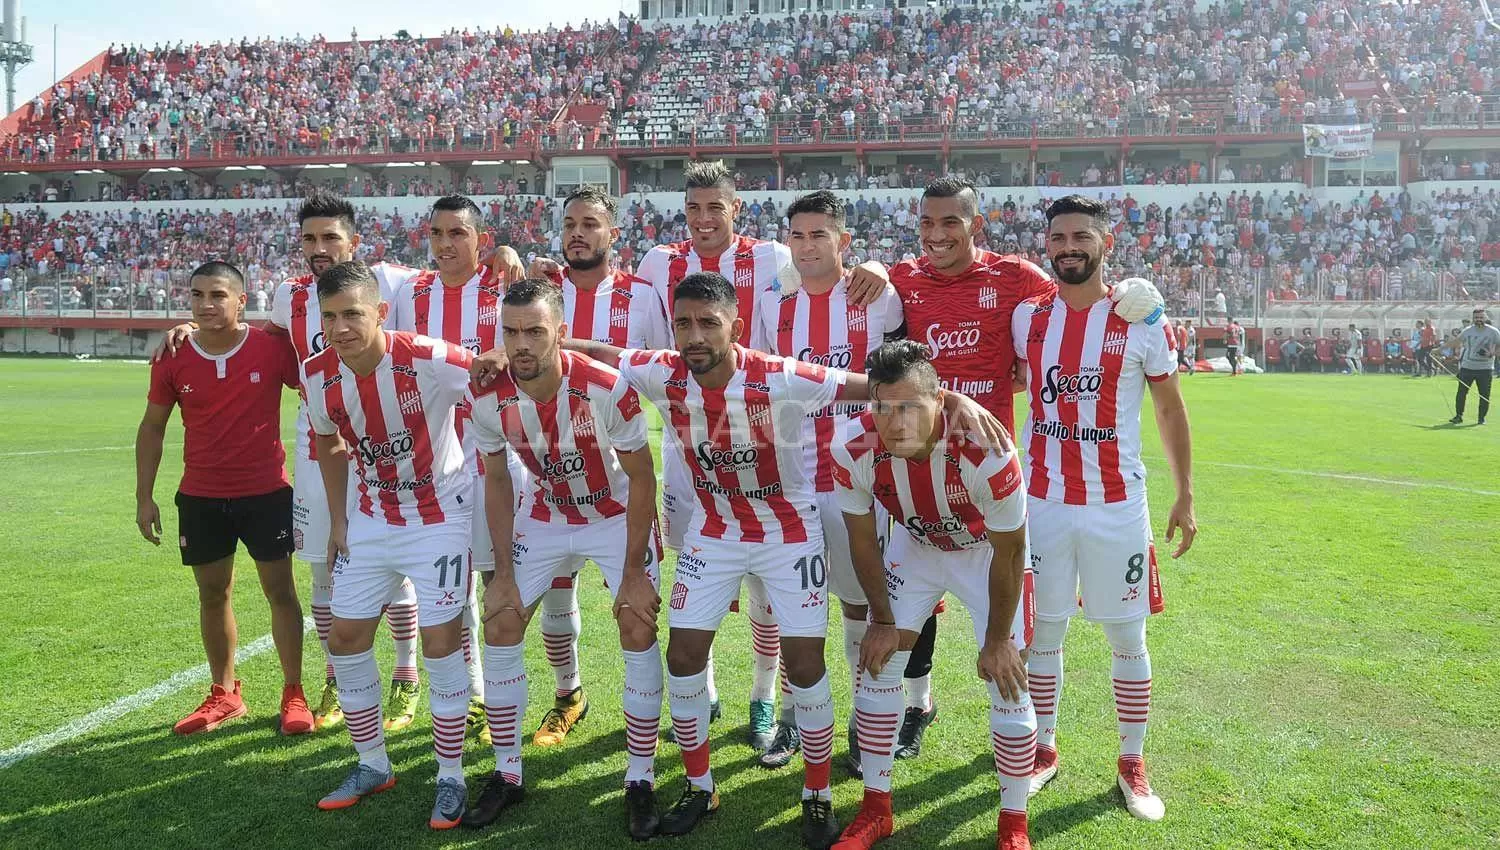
(737, 416)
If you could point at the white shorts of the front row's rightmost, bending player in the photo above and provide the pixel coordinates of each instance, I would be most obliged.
(917, 576)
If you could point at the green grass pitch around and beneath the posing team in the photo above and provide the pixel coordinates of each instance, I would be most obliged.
(1325, 672)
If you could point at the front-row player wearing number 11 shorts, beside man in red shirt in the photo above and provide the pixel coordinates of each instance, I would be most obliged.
(389, 400)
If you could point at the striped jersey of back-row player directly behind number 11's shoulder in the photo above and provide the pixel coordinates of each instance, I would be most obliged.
(466, 316)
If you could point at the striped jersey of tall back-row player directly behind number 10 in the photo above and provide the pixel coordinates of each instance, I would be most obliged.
(751, 265)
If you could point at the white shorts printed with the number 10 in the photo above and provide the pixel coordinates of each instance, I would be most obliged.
(709, 575)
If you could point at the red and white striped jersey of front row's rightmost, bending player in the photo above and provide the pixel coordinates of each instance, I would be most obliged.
(950, 500)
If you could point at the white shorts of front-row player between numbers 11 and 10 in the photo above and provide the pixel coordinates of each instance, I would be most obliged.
(547, 552)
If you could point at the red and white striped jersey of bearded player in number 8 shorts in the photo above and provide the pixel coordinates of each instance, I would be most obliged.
(1087, 376)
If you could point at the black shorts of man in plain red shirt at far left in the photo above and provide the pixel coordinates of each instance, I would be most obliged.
(211, 528)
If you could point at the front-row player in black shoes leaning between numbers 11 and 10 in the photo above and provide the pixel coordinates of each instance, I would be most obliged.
(583, 437)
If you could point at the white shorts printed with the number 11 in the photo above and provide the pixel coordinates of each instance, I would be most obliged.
(434, 557)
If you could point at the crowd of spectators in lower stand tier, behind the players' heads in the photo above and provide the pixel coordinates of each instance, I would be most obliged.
(1211, 256)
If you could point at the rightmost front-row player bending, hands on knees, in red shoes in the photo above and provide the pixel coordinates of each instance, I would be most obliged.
(964, 519)
